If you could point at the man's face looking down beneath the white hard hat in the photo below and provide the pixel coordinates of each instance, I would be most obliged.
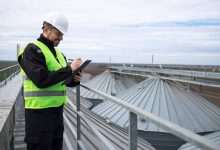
(55, 36)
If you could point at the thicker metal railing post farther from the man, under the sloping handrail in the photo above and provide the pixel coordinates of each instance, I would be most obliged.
(132, 131)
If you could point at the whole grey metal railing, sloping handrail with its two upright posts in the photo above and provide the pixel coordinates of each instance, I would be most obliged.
(180, 132)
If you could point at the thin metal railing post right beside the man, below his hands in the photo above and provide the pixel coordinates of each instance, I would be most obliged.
(78, 116)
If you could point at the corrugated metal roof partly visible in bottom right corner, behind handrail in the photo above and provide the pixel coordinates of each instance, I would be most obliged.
(215, 137)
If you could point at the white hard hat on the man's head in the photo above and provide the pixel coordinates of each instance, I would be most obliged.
(57, 20)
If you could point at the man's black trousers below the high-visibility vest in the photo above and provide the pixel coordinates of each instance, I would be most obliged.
(44, 129)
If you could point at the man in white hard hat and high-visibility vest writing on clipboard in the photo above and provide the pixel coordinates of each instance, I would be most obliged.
(46, 75)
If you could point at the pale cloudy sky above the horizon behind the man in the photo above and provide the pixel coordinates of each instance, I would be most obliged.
(131, 31)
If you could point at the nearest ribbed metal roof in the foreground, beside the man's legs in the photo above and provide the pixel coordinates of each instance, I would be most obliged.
(116, 138)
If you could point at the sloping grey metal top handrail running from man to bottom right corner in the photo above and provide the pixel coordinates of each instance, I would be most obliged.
(173, 128)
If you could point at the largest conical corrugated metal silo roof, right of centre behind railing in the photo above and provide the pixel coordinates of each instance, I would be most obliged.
(167, 100)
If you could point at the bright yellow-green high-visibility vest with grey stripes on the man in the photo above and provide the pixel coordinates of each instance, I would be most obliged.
(52, 96)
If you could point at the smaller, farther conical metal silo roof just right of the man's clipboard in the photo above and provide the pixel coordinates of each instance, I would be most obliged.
(105, 82)
